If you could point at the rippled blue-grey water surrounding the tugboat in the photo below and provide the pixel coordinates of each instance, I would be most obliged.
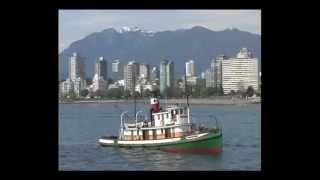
(80, 126)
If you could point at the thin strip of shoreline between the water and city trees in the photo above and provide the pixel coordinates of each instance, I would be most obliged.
(204, 101)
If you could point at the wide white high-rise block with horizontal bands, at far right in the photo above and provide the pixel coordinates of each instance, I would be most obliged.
(240, 72)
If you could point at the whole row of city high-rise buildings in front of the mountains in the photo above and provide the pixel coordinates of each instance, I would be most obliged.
(225, 74)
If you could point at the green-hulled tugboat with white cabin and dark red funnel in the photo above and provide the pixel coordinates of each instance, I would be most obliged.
(169, 130)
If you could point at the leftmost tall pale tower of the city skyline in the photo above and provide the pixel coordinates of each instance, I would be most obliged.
(76, 67)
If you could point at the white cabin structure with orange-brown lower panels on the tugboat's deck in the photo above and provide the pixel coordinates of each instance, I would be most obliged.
(170, 123)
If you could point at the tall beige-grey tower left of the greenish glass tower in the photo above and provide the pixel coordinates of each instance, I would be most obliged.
(131, 75)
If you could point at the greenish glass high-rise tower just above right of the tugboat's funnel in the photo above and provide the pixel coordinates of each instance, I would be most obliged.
(166, 76)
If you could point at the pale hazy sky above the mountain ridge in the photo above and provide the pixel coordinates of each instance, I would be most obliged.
(76, 24)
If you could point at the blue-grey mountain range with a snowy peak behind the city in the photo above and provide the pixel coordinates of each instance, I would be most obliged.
(197, 43)
